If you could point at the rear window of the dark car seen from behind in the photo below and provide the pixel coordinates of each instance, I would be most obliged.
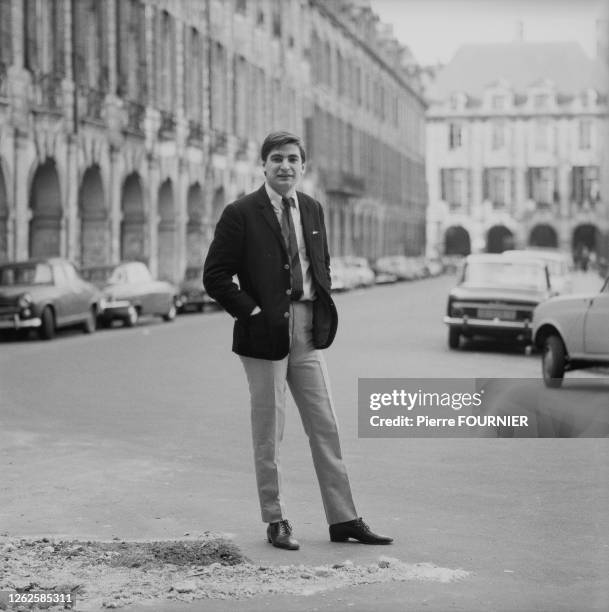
(500, 274)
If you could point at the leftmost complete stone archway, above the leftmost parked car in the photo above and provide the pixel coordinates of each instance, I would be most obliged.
(47, 212)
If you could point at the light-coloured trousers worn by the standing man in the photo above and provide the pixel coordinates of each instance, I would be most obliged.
(304, 370)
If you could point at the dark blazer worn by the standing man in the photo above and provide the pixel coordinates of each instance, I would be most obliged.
(248, 242)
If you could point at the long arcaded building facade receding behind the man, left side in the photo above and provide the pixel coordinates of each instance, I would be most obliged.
(127, 125)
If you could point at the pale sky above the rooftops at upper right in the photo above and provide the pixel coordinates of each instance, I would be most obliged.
(435, 29)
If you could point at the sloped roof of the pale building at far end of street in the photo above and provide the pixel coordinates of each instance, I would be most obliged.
(522, 64)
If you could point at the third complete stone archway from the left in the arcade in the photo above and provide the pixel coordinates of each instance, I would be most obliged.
(133, 235)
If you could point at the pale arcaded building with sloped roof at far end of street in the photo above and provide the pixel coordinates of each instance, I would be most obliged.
(516, 150)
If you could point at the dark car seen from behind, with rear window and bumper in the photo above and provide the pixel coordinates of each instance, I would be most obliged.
(495, 296)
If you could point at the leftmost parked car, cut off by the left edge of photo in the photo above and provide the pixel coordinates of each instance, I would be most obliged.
(45, 295)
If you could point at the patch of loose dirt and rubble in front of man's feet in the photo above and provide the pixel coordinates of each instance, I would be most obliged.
(115, 574)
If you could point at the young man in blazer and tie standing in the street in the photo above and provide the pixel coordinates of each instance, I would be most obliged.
(274, 240)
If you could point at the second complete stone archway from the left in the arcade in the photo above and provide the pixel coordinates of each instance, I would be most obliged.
(94, 226)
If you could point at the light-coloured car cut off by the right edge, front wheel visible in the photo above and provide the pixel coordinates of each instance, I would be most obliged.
(572, 331)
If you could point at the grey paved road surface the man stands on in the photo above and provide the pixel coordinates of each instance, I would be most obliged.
(144, 433)
